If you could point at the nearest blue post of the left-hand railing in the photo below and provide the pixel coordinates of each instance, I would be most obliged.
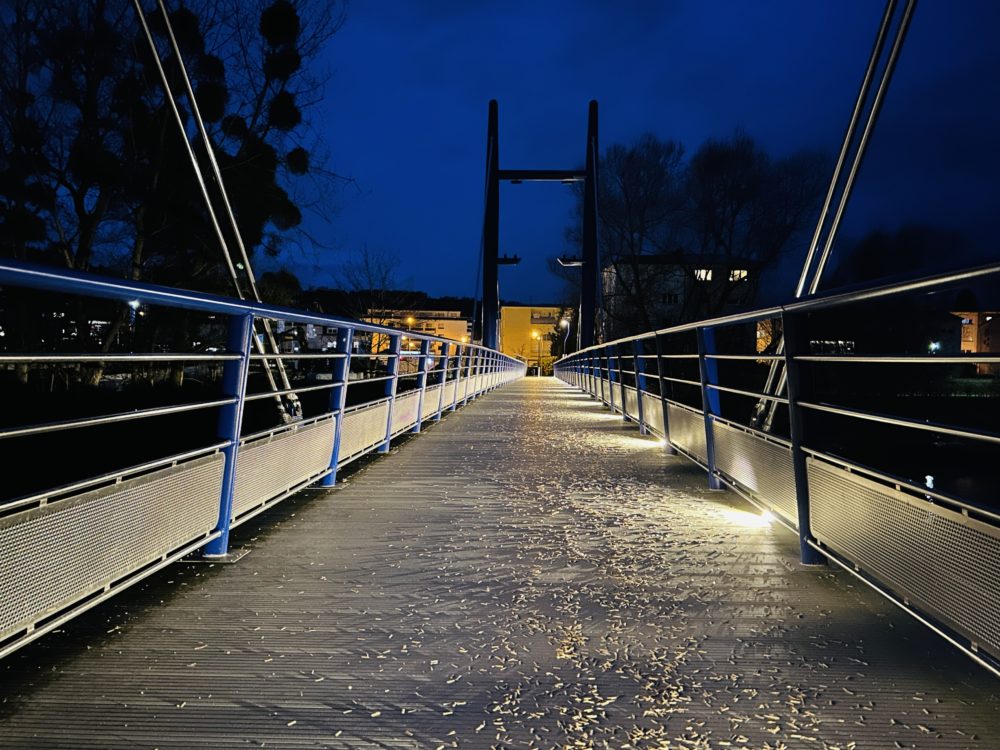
(234, 385)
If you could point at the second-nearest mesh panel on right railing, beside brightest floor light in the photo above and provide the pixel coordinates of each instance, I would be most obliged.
(761, 467)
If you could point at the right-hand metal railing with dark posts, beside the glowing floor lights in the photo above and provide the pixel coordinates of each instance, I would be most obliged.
(931, 549)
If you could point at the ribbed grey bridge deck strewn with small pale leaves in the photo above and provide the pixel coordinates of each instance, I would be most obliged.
(527, 573)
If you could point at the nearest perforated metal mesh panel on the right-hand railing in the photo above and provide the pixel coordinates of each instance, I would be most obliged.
(941, 560)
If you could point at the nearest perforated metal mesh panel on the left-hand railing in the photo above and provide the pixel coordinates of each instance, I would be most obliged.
(55, 555)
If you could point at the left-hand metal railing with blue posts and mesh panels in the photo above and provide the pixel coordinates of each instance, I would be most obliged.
(67, 547)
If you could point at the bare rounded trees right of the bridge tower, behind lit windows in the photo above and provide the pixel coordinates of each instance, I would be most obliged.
(662, 212)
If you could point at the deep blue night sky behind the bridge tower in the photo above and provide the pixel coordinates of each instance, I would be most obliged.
(404, 114)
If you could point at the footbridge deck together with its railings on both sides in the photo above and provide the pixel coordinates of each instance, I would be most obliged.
(533, 569)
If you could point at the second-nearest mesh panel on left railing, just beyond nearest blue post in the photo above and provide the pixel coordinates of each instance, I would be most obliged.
(272, 465)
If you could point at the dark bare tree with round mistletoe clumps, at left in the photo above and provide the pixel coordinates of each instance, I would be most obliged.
(94, 174)
